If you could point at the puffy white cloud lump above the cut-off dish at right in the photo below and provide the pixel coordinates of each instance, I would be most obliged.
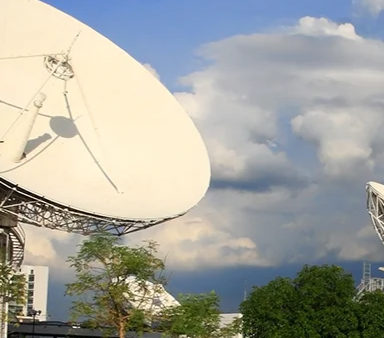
(343, 137)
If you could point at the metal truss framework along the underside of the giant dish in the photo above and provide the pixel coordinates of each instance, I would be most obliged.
(35, 210)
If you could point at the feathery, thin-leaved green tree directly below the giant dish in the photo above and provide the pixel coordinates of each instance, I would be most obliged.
(111, 281)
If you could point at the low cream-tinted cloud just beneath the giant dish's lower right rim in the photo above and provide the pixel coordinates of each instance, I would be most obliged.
(193, 242)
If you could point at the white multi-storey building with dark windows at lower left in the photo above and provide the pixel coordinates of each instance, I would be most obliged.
(37, 294)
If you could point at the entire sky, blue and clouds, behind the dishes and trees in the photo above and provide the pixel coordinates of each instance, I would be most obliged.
(288, 97)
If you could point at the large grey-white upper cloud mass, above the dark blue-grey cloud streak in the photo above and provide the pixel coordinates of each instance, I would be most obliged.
(327, 81)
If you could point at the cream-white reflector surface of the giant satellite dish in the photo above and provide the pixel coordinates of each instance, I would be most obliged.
(85, 128)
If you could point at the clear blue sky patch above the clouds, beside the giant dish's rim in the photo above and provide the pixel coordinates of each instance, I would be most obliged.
(168, 33)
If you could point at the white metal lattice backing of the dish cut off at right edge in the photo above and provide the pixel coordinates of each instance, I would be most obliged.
(375, 206)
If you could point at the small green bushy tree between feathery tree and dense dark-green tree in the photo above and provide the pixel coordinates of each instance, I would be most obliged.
(196, 317)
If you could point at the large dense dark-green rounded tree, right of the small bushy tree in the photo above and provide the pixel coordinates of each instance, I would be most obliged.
(317, 303)
